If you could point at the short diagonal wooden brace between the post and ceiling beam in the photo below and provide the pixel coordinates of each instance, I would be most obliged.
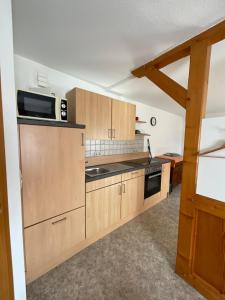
(168, 85)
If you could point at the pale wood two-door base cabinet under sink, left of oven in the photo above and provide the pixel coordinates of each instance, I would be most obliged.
(107, 206)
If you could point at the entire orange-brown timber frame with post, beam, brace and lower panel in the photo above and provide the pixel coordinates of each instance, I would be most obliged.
(201, 218)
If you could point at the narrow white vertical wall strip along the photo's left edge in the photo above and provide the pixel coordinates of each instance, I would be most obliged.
(11, 147)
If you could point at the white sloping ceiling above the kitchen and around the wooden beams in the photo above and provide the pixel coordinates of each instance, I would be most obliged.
(102, 41)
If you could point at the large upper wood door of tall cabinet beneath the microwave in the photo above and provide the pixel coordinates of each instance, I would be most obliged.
(53, 170)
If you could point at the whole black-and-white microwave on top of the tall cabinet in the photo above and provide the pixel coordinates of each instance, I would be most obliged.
(39, 106)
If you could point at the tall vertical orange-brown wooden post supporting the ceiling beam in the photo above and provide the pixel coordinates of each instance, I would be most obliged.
(195, 111)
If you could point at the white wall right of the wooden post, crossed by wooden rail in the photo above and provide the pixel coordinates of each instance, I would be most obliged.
(211, 172)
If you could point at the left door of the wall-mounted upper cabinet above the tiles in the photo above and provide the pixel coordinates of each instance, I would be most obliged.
(94, 111)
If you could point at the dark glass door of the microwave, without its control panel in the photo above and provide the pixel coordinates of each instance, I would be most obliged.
(37, 106)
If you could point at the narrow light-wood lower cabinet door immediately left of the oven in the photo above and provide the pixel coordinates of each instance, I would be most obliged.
(132, 196)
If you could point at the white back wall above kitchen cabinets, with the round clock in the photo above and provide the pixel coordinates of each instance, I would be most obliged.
(167, 136)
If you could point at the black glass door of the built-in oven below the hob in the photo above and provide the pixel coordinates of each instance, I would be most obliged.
(152, 184)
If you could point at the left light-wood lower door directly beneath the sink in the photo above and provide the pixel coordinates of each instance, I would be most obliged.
(102, 209)
